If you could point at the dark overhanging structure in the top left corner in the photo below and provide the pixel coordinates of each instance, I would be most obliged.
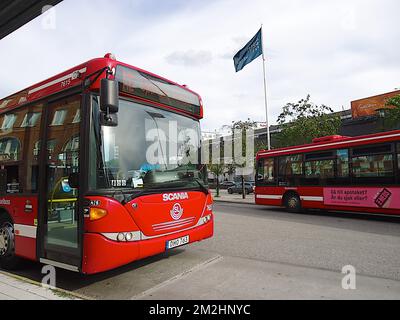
(15, 13)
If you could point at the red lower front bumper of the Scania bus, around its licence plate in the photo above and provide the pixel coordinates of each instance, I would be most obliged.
(101, 254)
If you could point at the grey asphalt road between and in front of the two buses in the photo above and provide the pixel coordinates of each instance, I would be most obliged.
(260, 253)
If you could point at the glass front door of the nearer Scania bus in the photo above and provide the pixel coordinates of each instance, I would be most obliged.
(61, 224)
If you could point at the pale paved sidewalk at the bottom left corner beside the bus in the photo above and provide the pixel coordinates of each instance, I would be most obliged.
(13, 287)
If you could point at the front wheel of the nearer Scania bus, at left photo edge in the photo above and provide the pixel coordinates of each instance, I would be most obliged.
(8, 259)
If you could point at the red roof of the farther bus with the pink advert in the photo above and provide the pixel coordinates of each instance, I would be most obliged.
(333, 142)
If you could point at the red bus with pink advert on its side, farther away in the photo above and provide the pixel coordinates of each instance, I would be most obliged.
(359, 174)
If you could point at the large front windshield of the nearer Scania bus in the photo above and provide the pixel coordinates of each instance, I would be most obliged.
(149, 149)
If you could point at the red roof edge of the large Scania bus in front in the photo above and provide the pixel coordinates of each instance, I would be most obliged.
(74, 77)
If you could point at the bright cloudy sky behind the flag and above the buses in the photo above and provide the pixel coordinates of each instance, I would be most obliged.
(336, 51)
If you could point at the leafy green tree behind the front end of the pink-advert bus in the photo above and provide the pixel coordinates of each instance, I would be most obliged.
(303, 121)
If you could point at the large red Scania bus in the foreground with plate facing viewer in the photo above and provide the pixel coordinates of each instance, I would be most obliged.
(76, 188)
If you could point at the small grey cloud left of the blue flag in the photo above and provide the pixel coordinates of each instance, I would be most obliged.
(189, 58)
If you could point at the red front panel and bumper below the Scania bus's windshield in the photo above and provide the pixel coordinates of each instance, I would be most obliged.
(101, 253)
